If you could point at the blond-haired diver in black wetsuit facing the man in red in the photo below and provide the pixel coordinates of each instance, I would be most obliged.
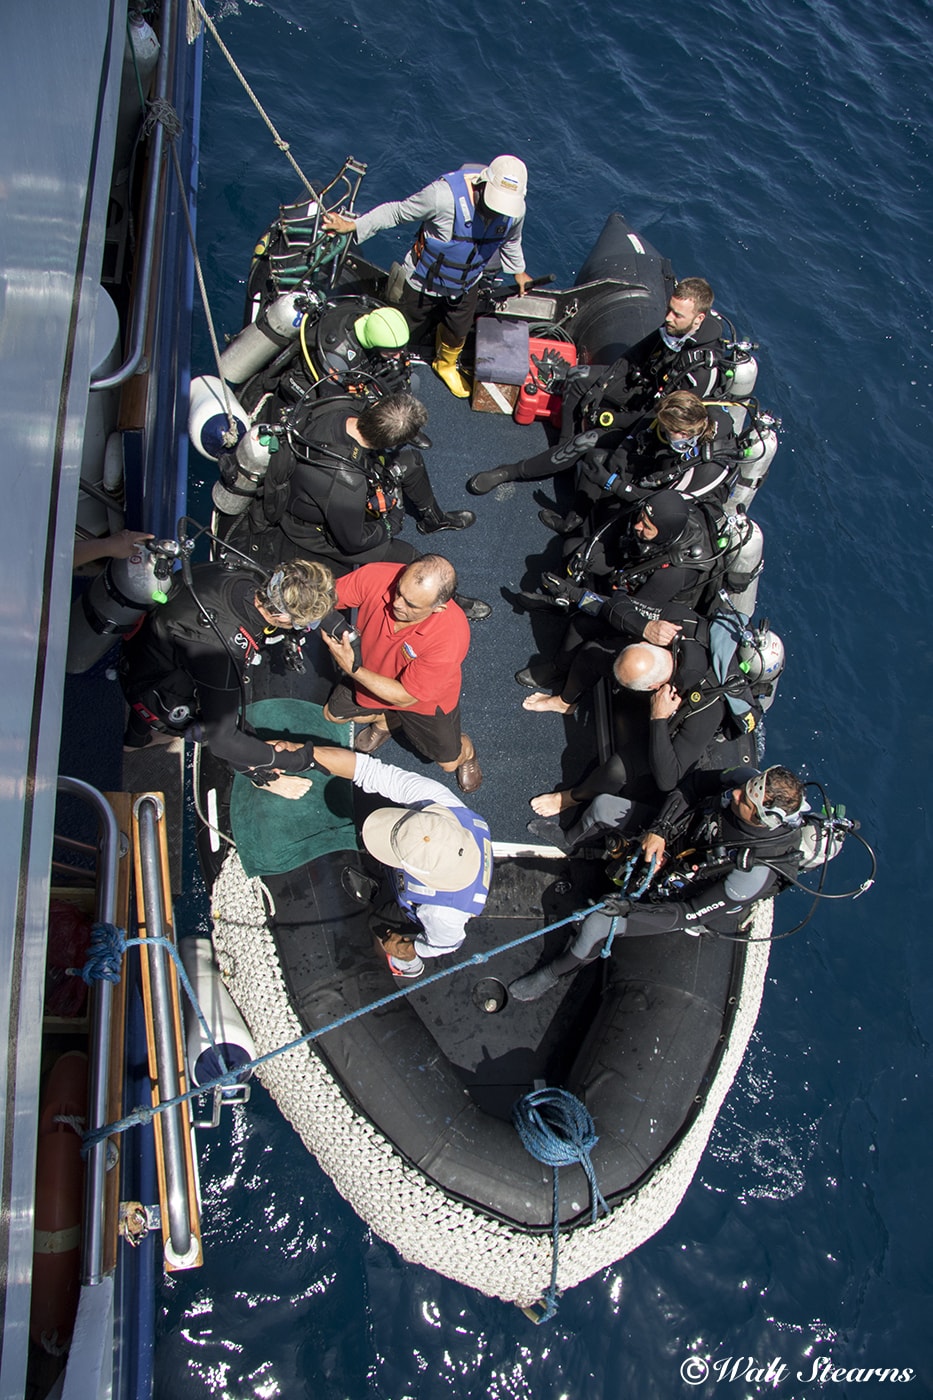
(183, 673)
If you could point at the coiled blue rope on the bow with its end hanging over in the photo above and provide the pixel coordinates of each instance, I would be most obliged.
(558, 1130)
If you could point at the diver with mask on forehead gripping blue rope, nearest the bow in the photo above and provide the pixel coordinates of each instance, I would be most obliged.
(753, 820)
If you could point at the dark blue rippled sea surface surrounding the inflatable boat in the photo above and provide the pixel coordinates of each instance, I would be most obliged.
(781, 150)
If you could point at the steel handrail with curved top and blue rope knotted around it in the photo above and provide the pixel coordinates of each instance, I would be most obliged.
(102, 999)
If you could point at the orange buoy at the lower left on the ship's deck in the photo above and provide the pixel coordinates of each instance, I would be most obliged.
(60, 1203)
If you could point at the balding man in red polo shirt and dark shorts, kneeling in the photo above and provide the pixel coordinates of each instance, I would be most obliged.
(413, 643)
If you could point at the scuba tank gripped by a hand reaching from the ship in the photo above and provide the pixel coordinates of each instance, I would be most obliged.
(116, 603)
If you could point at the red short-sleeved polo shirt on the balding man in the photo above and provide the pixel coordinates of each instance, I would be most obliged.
(425, 657)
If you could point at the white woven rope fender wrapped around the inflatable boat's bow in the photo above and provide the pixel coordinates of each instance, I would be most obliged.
(401, 1205)
